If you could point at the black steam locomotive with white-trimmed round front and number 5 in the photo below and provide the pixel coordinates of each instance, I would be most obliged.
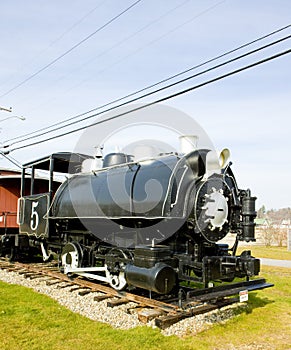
(147, 224)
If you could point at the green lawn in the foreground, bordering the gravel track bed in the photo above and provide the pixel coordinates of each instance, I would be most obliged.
(34, 321)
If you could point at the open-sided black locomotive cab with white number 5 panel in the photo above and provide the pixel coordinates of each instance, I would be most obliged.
(35, 200)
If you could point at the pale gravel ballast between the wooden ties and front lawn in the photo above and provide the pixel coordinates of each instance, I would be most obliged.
(122, 316)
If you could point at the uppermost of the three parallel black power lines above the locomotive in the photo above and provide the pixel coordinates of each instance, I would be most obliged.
(137, 92)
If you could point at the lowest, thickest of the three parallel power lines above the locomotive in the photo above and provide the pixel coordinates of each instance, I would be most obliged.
(159, 100)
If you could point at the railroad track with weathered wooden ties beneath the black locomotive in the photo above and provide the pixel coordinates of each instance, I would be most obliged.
(164, 312)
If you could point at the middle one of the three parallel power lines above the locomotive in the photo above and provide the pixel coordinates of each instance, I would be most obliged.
(153, 92)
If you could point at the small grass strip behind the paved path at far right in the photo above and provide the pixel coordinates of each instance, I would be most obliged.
(280, 253)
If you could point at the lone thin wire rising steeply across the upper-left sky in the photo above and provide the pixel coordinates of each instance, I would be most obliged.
(71, 49)
